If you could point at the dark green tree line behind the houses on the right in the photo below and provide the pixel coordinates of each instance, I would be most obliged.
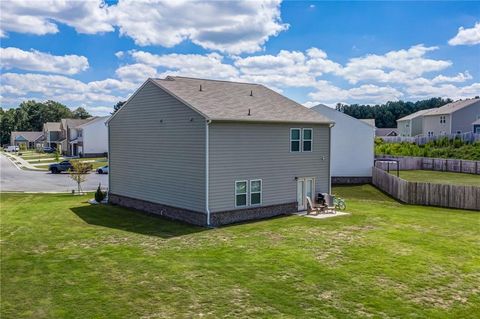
(386, 115)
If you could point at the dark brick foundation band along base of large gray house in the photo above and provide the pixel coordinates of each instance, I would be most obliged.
(200, 219)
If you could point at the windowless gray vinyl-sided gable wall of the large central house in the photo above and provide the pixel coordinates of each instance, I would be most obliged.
(161, 162)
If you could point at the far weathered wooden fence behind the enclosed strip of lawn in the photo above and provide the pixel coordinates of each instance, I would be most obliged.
(434, 164)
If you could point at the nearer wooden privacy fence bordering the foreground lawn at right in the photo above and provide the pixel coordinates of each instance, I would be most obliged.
(443, 195)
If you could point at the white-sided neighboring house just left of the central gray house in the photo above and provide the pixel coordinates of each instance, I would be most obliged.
(92, 138)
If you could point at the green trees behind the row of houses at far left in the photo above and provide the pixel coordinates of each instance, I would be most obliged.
(30, 116)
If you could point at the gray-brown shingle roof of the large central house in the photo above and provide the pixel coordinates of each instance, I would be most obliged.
(231, 101)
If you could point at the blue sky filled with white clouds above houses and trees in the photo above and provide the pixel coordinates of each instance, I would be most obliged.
(92, 54)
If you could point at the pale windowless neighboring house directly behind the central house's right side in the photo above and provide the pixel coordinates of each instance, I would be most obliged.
(352, 146)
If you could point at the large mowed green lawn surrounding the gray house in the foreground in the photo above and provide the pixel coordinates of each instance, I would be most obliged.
(64, 258)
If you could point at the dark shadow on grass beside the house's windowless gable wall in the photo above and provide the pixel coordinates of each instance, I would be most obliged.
(133, 221)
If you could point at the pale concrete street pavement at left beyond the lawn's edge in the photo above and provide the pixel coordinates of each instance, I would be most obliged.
(14, 179)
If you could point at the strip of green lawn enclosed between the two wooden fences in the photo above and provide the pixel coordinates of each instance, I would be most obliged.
(439, 177)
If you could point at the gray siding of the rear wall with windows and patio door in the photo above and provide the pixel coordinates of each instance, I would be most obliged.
(245, 151)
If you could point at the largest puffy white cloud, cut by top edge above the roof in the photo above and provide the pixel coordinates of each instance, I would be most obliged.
(230, 26)
